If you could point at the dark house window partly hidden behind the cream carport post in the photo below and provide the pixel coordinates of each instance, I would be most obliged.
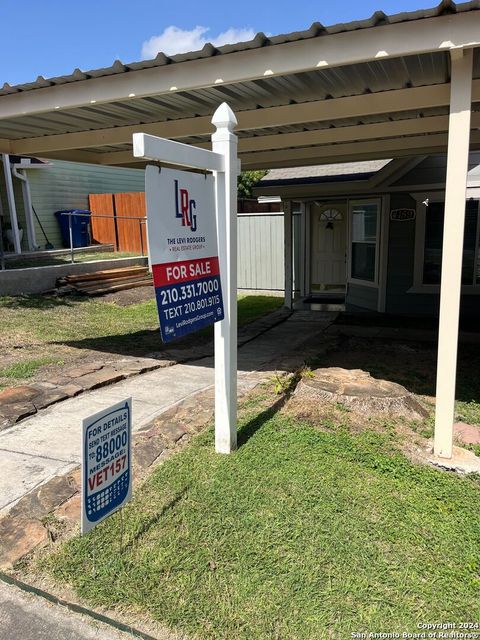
(432, 254)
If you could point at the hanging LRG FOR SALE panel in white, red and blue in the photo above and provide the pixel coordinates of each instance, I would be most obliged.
(183, 250)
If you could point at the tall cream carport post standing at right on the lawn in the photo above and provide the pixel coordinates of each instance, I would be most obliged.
(452, 252)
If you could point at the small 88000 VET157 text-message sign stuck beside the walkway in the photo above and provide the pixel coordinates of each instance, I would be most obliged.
(106, 463)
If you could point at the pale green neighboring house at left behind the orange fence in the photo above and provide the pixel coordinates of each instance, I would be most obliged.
(52, 185)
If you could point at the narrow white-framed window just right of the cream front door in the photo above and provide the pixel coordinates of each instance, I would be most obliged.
(365, 218)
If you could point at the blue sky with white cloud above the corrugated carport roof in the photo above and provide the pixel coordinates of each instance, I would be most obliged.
(54, 37)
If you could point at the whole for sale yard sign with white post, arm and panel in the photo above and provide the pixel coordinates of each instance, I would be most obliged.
(186, 212)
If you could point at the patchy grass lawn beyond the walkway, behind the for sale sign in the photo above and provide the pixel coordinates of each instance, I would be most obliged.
(40, 330)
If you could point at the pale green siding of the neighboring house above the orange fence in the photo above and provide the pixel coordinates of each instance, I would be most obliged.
(66, 185)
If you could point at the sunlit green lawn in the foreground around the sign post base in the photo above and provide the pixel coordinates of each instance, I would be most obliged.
(300, 534)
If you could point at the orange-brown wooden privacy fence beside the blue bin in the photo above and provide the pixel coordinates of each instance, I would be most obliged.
(124, 227)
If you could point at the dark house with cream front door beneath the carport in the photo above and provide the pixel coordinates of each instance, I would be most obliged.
(371, 233)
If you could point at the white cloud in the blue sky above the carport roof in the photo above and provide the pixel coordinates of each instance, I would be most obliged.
(175, 40)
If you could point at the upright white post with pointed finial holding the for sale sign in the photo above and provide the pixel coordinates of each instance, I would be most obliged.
(224, 141)
